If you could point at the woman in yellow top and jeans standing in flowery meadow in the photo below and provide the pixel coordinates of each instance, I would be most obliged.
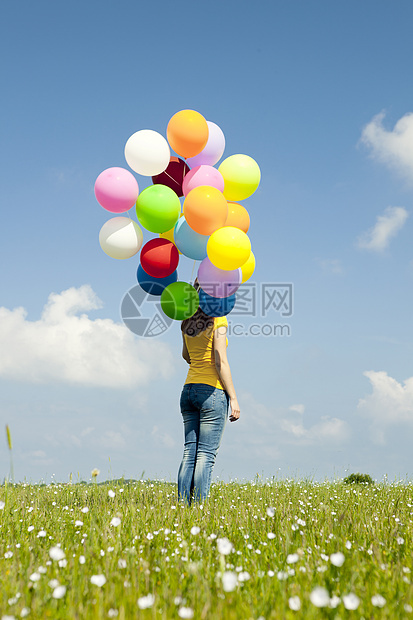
(205, 397)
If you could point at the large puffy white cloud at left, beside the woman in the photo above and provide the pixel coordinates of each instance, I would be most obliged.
(69, 347)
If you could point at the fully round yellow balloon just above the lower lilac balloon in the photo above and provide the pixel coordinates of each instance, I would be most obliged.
(228, 248)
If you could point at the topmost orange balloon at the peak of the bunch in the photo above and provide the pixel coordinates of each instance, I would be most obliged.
(187, 133)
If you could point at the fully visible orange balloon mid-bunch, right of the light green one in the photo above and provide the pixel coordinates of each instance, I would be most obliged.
(205, 209)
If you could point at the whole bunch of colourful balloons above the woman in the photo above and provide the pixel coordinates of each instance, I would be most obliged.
(212, 227)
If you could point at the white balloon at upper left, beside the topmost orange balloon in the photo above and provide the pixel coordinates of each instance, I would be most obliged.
(147, 152)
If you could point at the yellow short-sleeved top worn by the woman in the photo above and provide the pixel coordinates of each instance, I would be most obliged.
(201, 352)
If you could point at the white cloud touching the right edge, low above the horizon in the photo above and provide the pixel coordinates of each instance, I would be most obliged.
(390, 402)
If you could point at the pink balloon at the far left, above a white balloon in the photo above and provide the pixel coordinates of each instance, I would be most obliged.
(116, 190)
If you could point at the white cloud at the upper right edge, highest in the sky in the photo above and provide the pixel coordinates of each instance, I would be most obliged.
(393, 148)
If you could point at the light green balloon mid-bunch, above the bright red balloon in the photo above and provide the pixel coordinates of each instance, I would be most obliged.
(158, 208)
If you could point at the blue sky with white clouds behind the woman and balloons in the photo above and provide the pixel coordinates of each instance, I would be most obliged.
(320, 95)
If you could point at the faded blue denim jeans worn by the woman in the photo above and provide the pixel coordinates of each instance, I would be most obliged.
(204, 411)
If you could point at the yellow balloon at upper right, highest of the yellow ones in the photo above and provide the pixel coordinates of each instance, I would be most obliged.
(242, 176)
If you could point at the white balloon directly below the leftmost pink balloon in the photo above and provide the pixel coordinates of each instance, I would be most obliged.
(120, 237)
